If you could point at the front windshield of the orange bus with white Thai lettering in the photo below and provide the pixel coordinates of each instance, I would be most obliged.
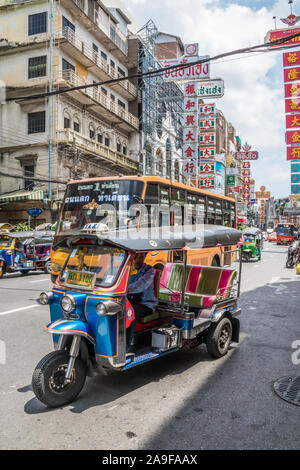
(92, 202)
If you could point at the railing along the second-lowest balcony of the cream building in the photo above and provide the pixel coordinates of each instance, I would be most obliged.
(72, 78)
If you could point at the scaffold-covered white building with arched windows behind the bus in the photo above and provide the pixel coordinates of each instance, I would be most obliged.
(159, 105)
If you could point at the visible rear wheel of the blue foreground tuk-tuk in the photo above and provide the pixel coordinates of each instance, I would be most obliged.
(219, 338)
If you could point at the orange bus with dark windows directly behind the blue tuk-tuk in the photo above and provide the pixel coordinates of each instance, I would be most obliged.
(144, 201)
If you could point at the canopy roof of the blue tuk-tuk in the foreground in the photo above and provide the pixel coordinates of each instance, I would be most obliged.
(163, 238)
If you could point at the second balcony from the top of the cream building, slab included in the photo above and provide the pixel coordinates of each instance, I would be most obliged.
(71, 43)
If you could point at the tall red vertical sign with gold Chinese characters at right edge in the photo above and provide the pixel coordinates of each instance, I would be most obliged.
(291, 73)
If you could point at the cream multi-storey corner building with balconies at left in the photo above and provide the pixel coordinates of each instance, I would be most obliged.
(61, 45)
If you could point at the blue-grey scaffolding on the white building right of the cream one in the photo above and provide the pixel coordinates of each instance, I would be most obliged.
(158, 100)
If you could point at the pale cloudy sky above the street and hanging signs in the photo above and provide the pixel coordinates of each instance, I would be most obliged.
(254, 92)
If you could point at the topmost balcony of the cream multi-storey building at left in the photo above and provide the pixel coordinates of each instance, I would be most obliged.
(106, 32)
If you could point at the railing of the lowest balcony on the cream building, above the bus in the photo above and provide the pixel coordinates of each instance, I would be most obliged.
(68, 135)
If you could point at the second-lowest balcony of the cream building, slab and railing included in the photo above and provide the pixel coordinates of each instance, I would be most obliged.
(97, 101)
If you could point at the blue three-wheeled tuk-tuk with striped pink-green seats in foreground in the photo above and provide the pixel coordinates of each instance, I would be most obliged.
(91, 310)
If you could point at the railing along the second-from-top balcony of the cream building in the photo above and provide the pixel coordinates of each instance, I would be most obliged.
(95, 57)
